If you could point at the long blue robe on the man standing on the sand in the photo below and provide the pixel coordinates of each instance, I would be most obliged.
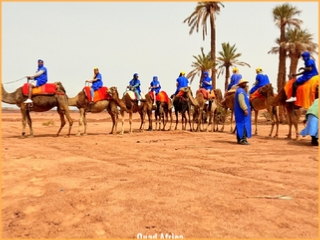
(242, 122)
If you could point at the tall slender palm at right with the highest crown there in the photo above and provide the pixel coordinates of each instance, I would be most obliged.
(284, 16)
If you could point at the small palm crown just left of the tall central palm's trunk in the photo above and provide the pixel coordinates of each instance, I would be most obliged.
(203, 63)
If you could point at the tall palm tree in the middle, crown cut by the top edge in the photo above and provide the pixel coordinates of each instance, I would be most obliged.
(203, 12)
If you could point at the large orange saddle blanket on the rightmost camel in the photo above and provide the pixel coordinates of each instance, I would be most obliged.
(305, 92)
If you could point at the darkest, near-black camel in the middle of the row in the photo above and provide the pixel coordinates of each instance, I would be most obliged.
(182, 105)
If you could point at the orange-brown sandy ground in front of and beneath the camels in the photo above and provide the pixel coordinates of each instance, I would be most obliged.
(178, 183)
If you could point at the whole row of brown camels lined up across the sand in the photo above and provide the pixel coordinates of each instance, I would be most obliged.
(163, 110)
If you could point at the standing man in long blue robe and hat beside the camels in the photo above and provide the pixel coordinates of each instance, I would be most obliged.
(242, 113)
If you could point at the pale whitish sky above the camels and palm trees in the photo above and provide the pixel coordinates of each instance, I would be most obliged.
(123, 38)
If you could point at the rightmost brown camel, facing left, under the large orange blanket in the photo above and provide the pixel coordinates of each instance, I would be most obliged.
(293, 112)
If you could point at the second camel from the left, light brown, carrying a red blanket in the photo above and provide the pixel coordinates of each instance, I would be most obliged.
(83, 104)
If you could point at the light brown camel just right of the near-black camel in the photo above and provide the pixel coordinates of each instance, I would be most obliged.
(202, 109)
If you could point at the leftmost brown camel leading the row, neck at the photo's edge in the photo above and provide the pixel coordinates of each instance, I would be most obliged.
(41, 103)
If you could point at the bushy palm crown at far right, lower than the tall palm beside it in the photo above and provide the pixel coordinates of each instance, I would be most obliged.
(297, 41)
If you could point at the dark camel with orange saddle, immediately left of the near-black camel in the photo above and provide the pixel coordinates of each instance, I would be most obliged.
(161, 113)
